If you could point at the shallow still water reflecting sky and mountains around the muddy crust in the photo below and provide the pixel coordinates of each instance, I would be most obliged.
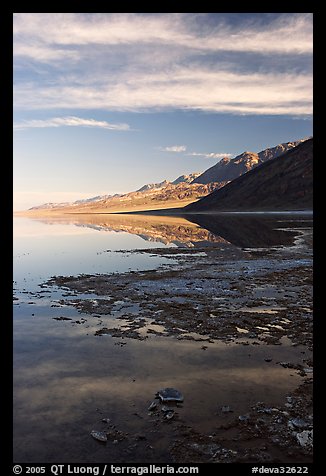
(66, 379)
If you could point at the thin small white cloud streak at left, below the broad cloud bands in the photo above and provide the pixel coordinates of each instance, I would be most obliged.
(70, 121)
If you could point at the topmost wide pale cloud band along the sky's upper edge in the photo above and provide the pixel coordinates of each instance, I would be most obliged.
(289, 33)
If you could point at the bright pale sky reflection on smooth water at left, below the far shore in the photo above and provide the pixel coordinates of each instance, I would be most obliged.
(76, 250)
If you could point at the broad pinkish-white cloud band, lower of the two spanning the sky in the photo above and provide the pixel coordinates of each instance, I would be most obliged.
(191, 88)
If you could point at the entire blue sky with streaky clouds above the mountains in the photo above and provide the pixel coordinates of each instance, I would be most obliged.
(105, 103)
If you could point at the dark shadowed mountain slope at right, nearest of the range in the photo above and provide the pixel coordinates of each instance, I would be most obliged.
(284, 183)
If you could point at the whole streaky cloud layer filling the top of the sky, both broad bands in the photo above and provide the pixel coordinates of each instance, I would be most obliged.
(137, 62)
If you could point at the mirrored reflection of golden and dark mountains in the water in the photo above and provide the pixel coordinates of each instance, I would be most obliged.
(245, 231)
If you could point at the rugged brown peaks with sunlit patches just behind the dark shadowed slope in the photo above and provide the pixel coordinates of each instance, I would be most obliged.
(229, 169)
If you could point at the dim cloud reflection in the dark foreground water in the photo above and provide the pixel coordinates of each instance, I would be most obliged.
(95, 371)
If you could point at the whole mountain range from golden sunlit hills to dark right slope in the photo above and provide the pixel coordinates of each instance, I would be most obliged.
(194, 188)
